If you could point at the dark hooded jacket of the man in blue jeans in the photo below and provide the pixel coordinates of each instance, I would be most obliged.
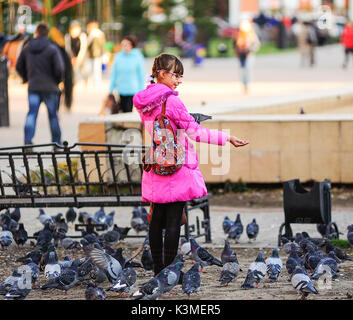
(41, 64)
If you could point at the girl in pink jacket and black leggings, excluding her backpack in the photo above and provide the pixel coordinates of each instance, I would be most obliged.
(168, 194)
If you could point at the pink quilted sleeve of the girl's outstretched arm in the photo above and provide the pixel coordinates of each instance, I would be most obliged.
(179, 114)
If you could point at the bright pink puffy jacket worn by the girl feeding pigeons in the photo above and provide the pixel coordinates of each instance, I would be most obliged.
(187, 183)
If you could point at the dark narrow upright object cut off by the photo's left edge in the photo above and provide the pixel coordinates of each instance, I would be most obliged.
(4, 98)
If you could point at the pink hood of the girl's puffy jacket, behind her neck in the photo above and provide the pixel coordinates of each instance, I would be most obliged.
(152, 97)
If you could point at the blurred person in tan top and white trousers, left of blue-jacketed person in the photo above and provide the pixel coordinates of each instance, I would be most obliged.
(95, 51)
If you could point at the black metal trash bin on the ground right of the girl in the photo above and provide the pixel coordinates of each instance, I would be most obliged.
(304, 206)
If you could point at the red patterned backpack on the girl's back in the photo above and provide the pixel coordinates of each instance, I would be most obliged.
(166, 155)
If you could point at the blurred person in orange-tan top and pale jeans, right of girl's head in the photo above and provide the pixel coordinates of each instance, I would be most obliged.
(246, 43)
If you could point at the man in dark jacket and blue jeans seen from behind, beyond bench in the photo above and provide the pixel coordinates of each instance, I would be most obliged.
(41, 65)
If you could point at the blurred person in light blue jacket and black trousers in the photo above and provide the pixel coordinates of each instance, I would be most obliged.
(128, 72)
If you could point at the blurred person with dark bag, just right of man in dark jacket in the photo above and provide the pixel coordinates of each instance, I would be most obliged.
(76, 47)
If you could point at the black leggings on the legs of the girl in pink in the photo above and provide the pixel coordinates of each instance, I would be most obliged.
(165, 216)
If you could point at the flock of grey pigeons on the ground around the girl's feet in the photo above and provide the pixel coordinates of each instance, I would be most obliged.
(308, 259)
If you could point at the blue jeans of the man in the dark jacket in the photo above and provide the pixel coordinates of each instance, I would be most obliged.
(51, 100)
